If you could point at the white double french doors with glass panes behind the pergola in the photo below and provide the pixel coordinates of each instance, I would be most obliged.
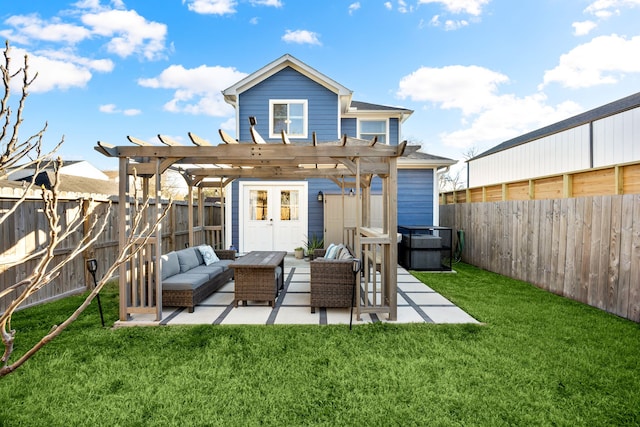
(272, 216)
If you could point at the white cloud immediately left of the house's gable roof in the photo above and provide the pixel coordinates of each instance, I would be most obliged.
(197, 90)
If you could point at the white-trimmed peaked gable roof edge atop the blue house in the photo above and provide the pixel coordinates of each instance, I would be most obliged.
(231, 93)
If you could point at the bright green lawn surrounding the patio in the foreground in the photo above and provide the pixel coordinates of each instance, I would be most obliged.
(539, 359)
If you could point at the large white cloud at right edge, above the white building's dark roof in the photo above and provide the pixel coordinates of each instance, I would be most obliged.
(603, 60)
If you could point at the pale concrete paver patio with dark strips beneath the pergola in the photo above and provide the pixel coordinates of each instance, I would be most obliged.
(417, 303)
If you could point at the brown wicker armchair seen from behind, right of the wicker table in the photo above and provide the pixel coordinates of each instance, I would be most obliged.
(333, 282)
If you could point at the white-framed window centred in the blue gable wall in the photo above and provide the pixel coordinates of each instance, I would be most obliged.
(290, 115)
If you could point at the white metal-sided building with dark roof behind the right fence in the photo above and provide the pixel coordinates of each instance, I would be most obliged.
(605, 136)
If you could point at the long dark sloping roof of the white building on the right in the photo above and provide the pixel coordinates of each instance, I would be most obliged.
(615, 107)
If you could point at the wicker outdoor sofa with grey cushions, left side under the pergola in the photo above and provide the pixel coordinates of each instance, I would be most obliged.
(190, 275)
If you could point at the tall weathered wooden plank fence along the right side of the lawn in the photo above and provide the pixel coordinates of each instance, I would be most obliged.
(586, 249)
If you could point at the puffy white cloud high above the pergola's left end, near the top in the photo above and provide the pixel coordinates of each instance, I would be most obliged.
(130, 32)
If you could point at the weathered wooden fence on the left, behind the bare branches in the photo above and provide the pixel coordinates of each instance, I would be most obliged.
(26, 230)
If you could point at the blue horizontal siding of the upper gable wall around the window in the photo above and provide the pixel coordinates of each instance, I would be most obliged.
(289, 84)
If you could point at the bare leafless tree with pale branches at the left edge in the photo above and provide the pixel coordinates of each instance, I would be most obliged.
(29, 153)
